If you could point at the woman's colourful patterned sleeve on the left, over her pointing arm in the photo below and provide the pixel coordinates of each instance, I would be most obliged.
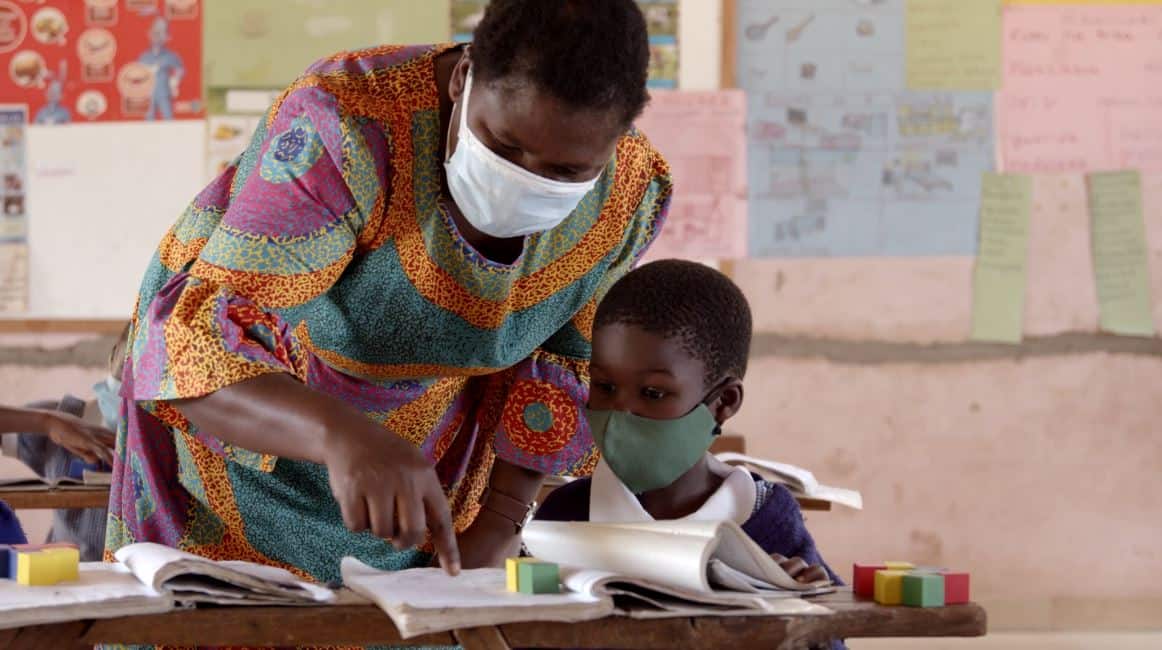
(299, 202)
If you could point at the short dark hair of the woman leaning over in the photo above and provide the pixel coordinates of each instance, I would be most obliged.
(589, 54)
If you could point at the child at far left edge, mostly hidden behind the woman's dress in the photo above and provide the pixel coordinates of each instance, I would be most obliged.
(60, 438)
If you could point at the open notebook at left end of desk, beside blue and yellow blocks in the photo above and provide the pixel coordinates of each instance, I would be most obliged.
(152, 580)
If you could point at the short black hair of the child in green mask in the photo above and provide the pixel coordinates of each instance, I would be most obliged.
(690, 302)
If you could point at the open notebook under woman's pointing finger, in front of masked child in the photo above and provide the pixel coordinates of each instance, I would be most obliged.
(649, 570)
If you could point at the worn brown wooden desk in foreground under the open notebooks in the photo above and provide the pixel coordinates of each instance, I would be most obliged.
(367, 625)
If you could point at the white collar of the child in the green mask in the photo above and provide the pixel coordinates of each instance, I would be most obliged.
(612, 502)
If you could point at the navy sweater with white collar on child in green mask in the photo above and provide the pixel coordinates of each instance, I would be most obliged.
(766, 511)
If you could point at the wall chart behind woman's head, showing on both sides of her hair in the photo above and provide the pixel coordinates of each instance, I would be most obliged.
(662, 22)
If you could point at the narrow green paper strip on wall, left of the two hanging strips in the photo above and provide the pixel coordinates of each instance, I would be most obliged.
(1002, 262)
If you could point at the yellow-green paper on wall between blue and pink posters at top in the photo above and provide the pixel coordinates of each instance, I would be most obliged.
(953, 45)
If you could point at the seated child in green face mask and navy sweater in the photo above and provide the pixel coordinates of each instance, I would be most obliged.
(670, 349)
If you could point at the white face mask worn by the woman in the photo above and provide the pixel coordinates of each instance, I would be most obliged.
(500, 198)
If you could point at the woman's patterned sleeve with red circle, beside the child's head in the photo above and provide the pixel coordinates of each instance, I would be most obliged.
(543, 425)
